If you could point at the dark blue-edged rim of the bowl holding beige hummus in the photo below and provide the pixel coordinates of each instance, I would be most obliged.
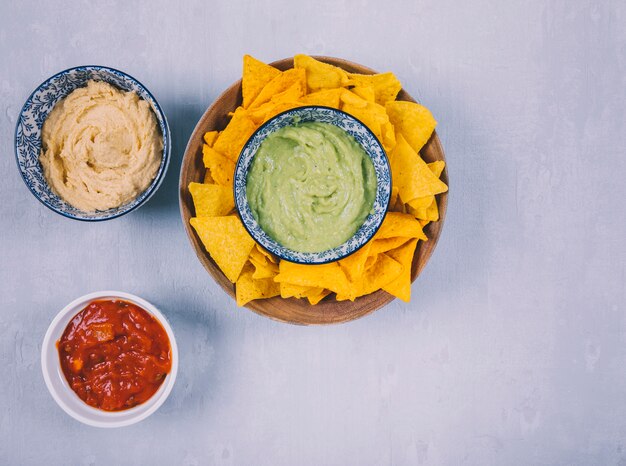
(165, 153)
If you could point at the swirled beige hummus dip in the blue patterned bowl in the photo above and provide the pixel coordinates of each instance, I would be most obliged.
(101, 147)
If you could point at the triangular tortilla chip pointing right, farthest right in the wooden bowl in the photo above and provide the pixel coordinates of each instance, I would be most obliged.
(411, 174)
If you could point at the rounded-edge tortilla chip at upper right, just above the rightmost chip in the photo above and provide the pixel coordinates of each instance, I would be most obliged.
(413, 121)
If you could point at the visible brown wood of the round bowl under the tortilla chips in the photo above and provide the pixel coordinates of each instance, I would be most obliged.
(292, 310)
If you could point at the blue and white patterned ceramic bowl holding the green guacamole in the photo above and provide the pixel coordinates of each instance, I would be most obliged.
(363, 136)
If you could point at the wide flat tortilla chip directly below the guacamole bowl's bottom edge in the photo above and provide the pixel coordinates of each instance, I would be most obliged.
(330, 276)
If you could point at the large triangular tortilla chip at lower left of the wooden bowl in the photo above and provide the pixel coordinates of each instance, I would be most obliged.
(226, 240)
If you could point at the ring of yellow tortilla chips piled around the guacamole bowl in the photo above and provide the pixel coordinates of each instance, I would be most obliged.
(402, 127)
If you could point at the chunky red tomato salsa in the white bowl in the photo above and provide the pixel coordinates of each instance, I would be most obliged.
(114, 354)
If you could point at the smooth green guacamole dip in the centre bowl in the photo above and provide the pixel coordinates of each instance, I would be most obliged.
(311, 186)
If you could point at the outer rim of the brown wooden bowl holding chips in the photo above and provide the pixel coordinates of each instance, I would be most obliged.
(380, 297)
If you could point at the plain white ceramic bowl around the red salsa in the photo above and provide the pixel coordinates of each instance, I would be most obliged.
(61, 391)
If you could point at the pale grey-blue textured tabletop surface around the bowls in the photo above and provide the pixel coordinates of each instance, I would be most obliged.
(513, 350)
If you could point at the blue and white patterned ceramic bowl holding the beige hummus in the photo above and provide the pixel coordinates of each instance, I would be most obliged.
(34, 113)
